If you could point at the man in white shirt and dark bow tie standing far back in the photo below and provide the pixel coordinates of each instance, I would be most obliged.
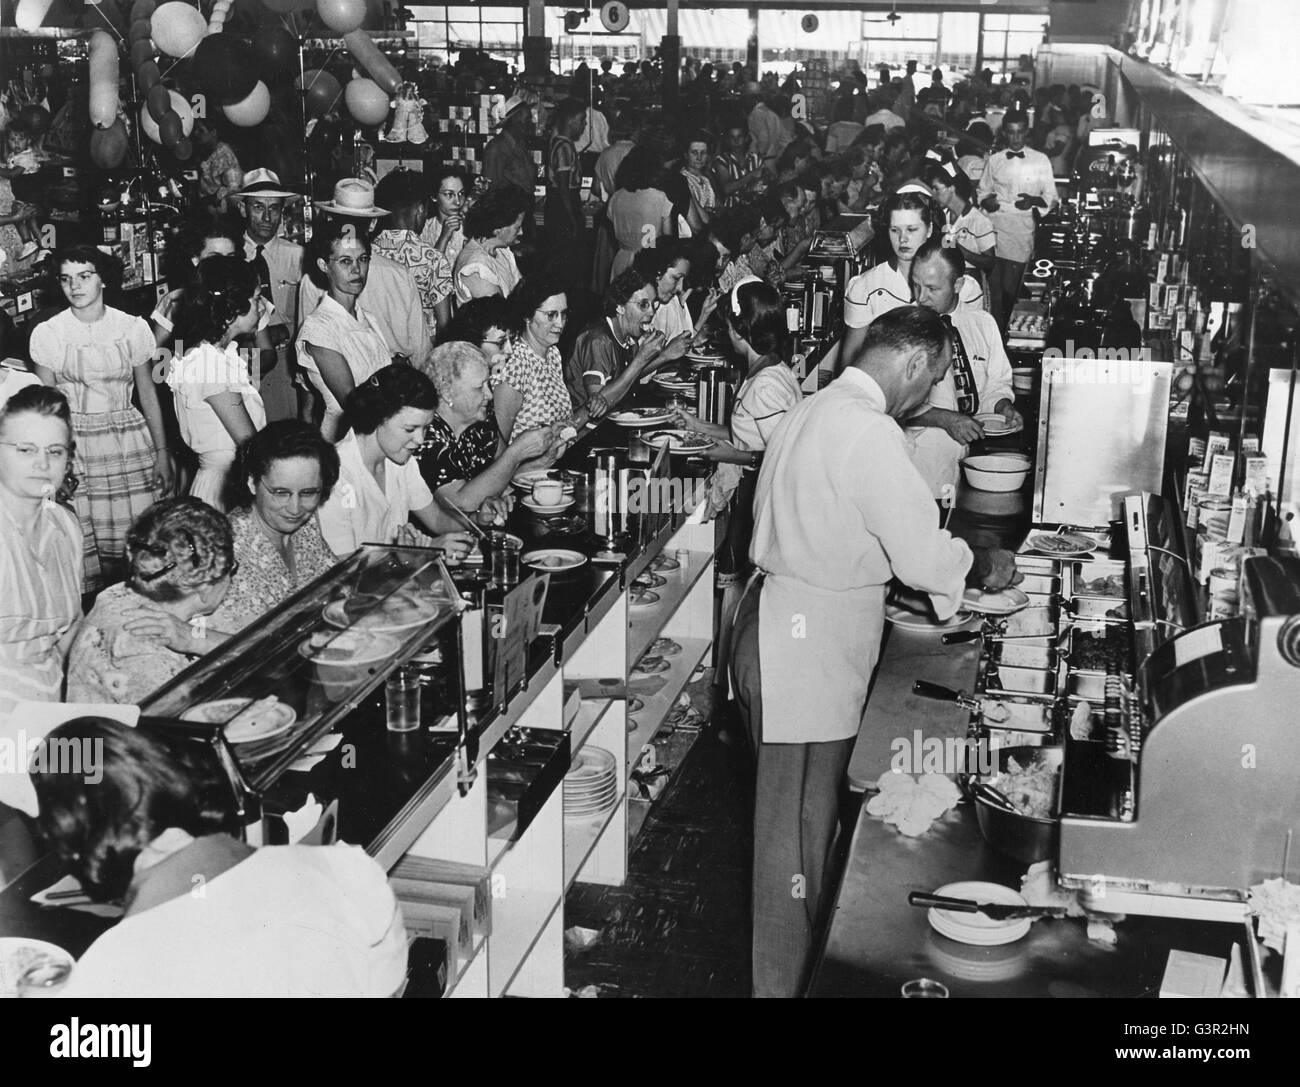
(1016, 183)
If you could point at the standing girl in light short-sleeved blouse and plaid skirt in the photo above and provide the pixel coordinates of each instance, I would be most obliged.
(98, 357)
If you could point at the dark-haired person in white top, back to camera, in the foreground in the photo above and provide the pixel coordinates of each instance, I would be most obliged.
(281, 921)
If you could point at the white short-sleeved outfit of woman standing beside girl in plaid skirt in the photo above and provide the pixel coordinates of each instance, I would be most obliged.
(207, 371)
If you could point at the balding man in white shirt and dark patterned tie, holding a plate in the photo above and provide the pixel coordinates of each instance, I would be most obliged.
(948, 425)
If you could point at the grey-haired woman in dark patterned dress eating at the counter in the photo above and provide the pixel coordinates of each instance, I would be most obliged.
(463, 457)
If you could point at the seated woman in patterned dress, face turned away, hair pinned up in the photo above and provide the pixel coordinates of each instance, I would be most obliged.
(141, 634)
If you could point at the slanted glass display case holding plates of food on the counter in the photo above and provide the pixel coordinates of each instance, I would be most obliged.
(287, 681)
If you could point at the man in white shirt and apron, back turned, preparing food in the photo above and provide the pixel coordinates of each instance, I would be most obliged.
(839, 513)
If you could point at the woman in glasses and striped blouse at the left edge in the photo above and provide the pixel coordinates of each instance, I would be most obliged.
(41, 543)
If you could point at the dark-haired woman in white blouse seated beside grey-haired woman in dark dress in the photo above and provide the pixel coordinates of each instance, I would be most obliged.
(380, 487)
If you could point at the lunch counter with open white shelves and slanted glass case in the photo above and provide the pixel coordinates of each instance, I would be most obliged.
(483, 794)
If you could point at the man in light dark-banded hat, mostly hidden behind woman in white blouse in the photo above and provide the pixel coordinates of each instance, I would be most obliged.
(391, 295)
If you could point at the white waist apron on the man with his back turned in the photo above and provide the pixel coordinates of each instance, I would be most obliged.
(817, 652)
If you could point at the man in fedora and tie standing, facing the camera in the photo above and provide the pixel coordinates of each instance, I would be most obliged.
(280, 267)
